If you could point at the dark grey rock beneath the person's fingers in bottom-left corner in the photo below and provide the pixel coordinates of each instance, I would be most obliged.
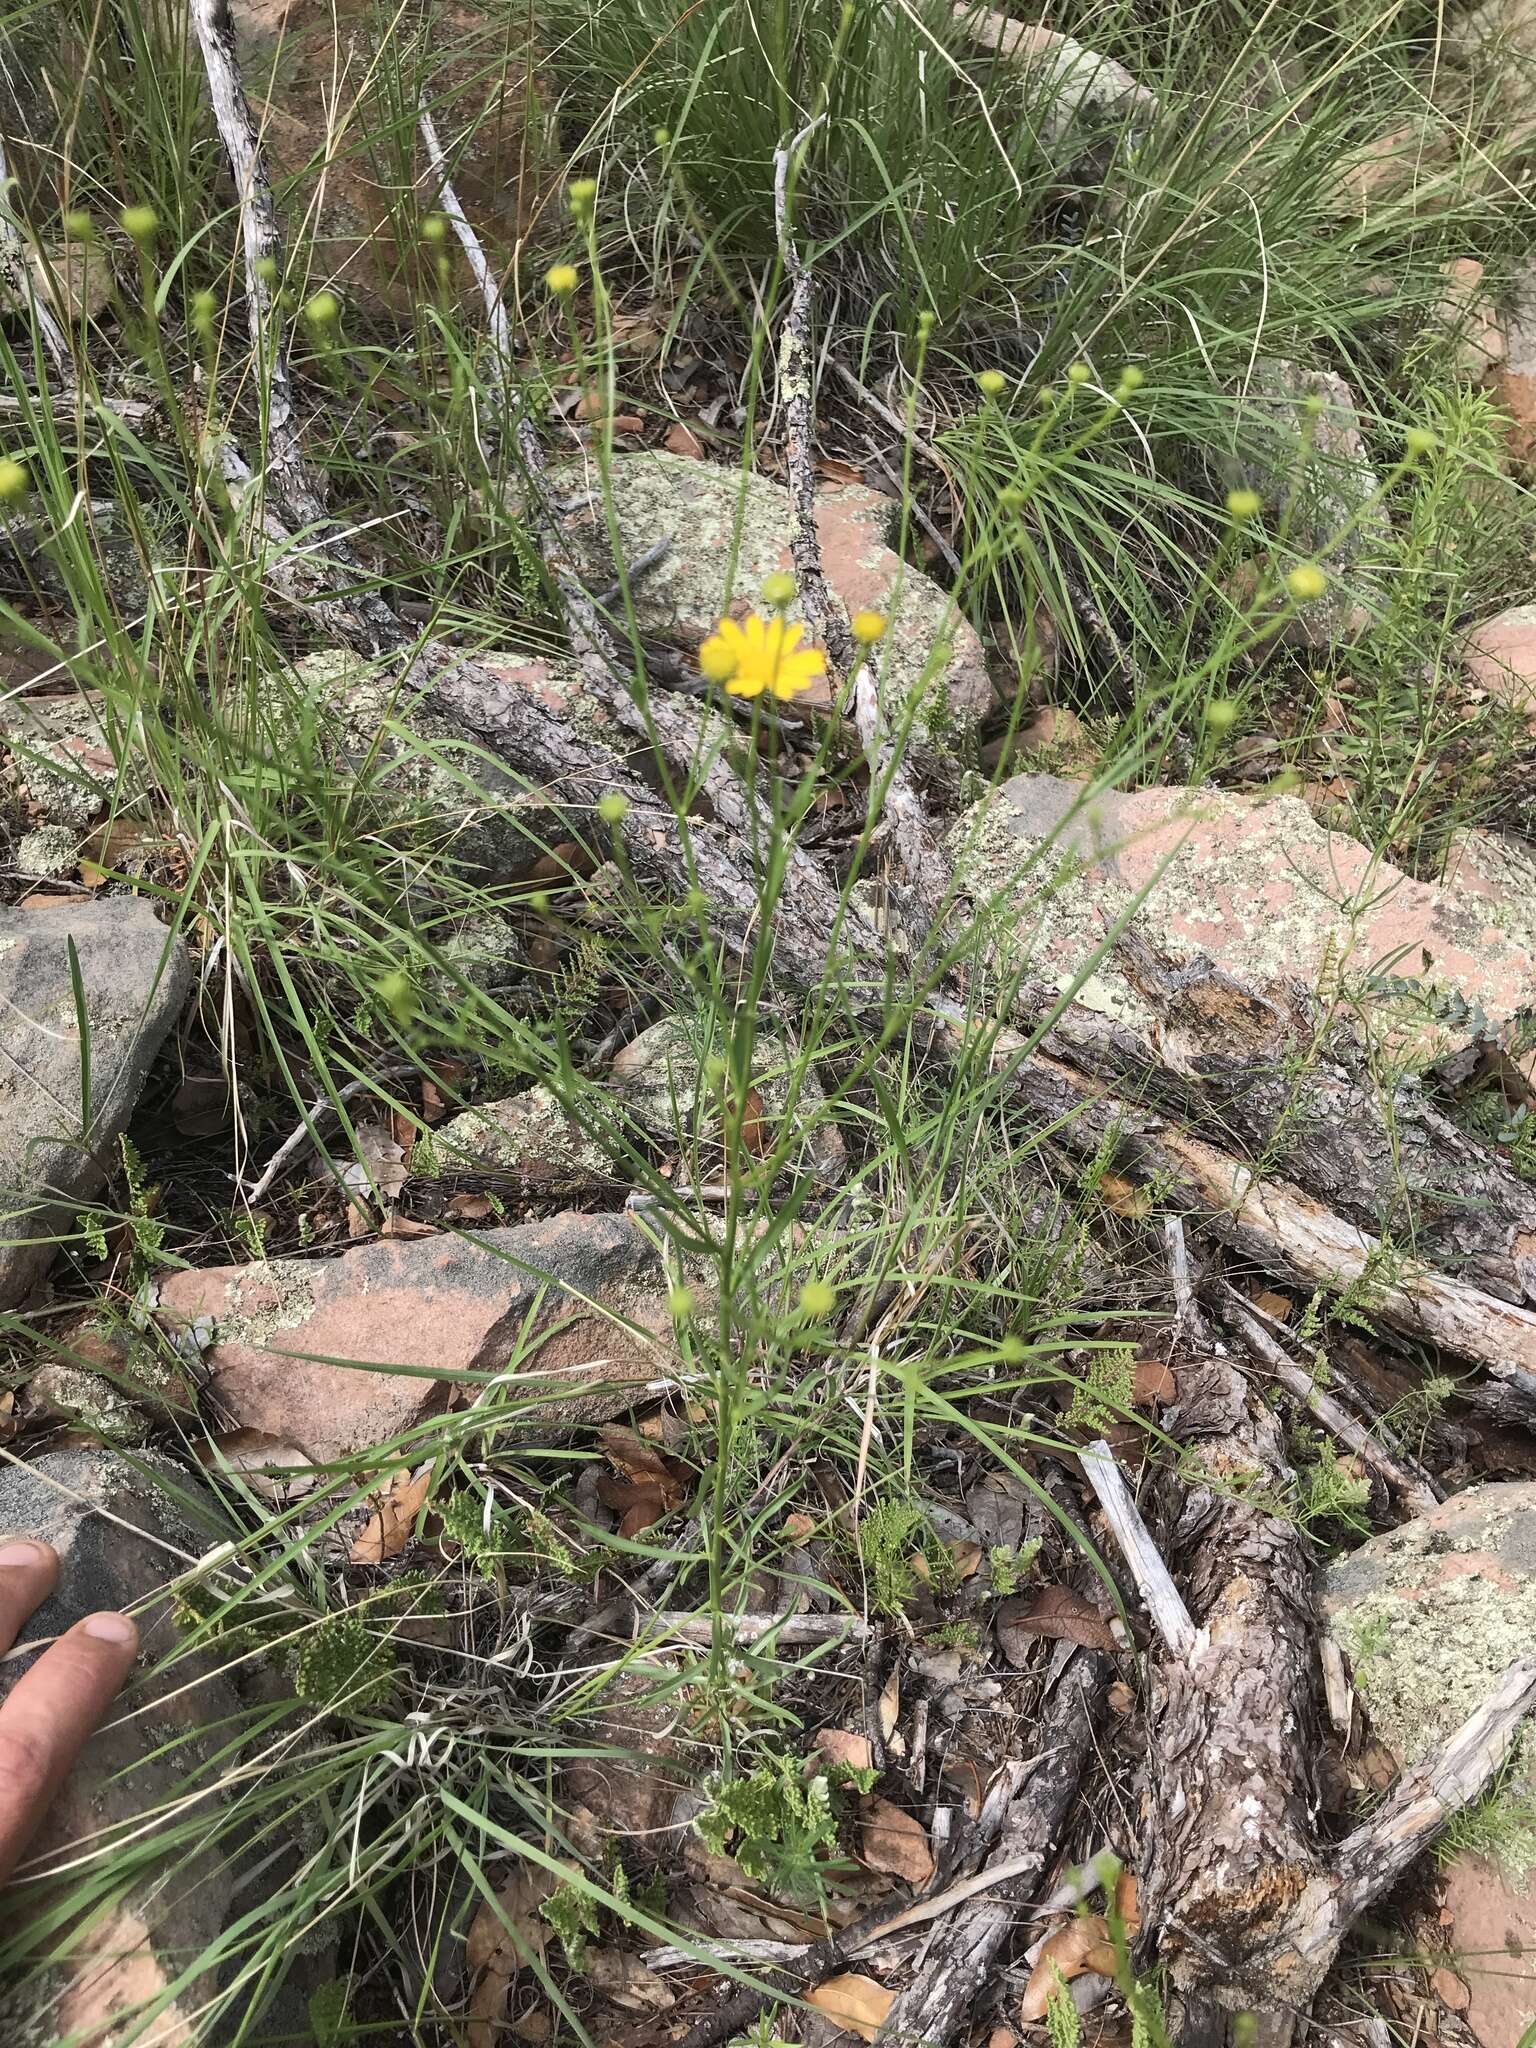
(112, 1525)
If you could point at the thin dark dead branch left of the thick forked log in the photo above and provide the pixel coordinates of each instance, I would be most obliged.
(957, 1963)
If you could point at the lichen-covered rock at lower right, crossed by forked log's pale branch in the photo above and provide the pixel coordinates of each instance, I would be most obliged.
(1431, 1617)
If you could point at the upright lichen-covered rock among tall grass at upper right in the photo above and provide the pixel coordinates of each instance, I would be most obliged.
(1316, 464)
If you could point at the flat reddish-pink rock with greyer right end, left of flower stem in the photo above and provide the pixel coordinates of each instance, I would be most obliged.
(423, 1308)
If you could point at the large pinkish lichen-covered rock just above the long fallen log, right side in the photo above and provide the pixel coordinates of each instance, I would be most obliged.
(1252, 884)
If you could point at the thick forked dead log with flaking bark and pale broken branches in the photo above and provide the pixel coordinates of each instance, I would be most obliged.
(1240, 1900)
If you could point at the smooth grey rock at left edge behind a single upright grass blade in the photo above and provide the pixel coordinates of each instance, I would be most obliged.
(136, 980)
